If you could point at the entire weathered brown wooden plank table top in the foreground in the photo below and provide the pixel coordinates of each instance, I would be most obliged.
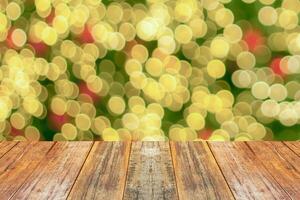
(149, 170)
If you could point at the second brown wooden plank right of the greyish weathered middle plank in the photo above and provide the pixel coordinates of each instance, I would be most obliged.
(246, 175)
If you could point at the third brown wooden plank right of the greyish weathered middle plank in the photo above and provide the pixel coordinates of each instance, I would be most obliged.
(282, 163)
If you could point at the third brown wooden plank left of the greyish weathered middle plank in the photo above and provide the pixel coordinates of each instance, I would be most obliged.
(18, 164)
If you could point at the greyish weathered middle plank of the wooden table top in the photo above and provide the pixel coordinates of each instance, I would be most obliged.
(150, 172)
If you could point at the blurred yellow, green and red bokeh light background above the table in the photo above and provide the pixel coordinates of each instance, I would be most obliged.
(150, 70)
